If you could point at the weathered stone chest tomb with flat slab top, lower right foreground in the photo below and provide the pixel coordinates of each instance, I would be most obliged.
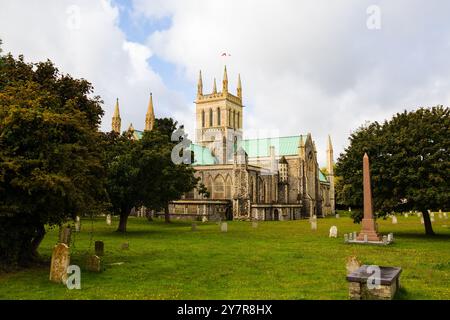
(389, 283)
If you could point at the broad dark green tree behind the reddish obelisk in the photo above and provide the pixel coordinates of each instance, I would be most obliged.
(410, 163)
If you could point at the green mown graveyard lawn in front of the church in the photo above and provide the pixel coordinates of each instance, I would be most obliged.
(276, 260)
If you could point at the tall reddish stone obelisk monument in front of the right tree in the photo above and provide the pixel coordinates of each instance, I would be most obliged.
(368, 222)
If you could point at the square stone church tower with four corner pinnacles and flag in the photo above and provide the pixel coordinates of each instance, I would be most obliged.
(219, 119)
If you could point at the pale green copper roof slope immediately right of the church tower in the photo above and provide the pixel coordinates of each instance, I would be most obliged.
(284, 146)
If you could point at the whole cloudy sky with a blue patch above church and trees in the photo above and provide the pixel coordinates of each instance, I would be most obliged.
(321, 66)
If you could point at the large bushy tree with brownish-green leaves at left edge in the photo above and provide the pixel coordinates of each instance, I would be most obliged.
(50, 168)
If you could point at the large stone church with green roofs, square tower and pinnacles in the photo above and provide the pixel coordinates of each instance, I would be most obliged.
(275, 178)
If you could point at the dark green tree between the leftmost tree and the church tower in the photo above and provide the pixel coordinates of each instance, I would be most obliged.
(142, 173)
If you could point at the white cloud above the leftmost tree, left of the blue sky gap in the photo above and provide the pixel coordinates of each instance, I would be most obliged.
(83, 39)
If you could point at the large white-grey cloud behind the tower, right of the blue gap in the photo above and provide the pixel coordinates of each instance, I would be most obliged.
(311, 66)
